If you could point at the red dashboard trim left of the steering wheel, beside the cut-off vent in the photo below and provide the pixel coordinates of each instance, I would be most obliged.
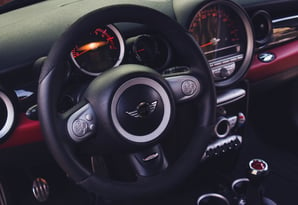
(27, 131)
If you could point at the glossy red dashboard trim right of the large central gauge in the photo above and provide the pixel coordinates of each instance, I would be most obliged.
(286, 58)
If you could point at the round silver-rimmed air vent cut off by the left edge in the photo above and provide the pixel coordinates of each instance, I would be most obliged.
(7, 112)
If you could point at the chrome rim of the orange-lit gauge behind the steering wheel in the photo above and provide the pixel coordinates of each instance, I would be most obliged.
(121, 52)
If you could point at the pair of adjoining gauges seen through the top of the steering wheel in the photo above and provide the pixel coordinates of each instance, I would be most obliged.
(105, 48)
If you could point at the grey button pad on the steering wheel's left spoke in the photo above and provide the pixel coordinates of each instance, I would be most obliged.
(80, 122)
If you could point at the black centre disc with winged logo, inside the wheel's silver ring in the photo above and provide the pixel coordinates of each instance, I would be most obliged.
(140, 110)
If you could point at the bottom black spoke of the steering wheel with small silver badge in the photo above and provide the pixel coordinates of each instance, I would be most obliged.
(149, 162)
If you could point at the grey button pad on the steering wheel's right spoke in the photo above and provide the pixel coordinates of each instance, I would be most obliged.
(185, 86)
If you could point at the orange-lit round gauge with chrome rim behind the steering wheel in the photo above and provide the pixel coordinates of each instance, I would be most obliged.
(98, 51)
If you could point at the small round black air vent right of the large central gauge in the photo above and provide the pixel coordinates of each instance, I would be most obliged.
(262, 24)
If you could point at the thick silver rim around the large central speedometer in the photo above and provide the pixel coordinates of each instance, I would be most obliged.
(241, 70)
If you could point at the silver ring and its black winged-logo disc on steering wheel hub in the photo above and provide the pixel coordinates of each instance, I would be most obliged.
(141, 109)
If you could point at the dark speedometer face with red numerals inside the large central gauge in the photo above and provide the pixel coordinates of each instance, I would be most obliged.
(218, 32)
